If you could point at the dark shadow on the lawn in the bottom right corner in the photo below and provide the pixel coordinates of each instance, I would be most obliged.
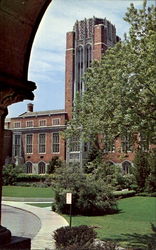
(137, 241)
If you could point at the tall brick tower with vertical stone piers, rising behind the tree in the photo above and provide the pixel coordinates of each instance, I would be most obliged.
(87, 42)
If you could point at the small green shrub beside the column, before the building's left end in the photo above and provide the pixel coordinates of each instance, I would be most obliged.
(10, 174)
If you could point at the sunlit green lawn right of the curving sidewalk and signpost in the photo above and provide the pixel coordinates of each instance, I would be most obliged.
(131, 224)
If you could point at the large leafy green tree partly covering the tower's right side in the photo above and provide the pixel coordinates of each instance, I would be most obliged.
(120, 89)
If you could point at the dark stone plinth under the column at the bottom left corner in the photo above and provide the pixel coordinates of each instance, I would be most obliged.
(17, 243)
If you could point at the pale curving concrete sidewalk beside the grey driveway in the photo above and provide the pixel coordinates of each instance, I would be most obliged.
(50, 221)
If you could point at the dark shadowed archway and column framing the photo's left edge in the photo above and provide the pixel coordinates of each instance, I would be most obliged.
(19, 21)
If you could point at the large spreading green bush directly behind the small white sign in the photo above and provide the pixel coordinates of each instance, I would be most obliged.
(89, 197)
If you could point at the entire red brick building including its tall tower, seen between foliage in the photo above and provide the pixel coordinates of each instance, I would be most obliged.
(36, 135)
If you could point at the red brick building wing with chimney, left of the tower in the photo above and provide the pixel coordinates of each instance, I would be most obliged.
(36, 138)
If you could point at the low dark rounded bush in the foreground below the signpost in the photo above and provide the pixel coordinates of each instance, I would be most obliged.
(81, 237)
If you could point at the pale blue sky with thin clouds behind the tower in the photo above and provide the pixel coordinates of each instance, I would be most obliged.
(47, 61)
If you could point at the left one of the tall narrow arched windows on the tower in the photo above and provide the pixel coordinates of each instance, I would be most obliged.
(79, 68)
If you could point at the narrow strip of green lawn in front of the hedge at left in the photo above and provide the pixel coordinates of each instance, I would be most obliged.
(27, 192)
